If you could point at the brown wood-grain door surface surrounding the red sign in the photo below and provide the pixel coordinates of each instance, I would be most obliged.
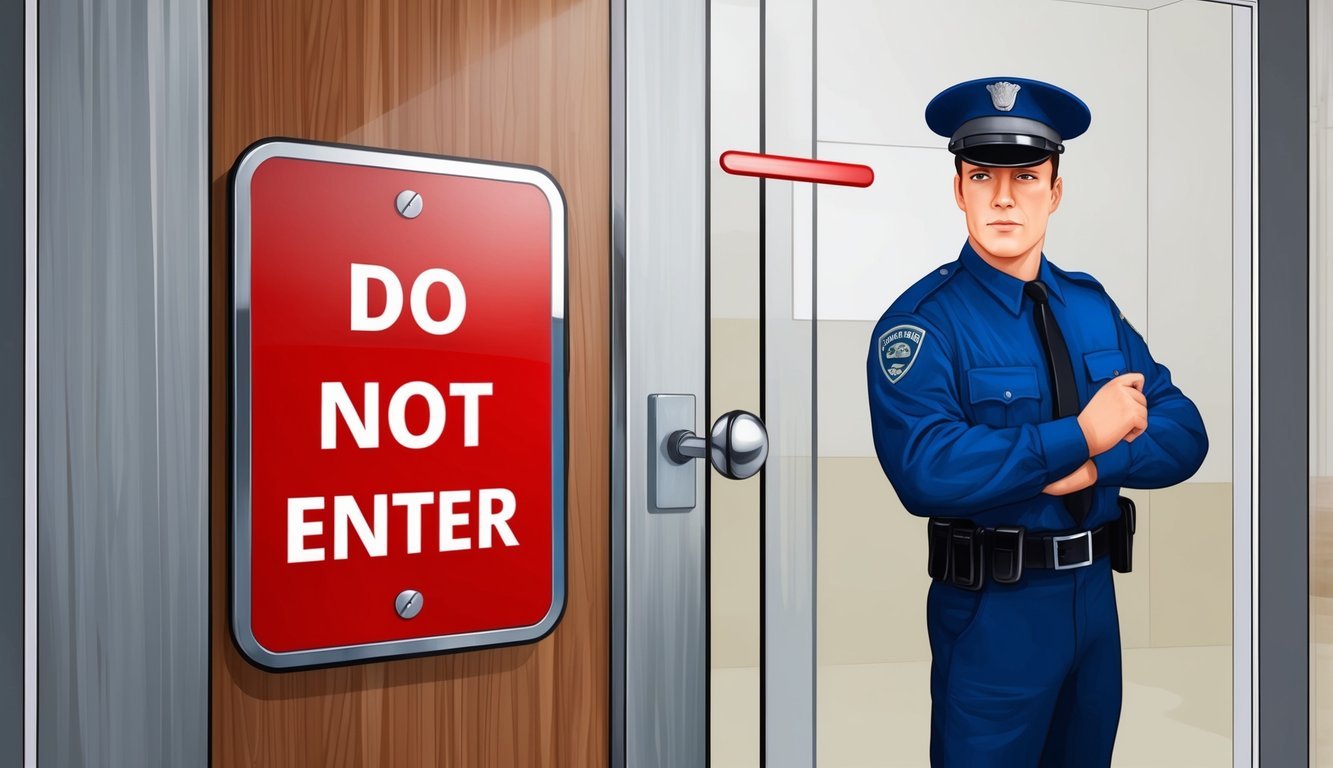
(514, 81)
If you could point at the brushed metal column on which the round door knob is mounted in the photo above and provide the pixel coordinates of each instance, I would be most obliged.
(659, 205)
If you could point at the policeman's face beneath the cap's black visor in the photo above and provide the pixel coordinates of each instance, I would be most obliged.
(1008, 209)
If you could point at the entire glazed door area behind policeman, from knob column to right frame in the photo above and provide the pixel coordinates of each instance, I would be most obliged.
(818, 643)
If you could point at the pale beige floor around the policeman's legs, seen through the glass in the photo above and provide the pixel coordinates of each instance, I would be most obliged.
(1178, 713)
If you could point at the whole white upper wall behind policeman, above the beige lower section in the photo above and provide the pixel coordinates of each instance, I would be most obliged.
(1166, 259)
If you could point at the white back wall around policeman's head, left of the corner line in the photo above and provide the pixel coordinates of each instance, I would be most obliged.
(882, 63)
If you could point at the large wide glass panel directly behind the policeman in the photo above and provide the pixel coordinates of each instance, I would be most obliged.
(1142, 217)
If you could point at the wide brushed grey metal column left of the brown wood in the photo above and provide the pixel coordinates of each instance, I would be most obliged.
(122, 362)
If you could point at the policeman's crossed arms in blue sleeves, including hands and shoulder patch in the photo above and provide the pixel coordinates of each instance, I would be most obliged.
(1139, 427)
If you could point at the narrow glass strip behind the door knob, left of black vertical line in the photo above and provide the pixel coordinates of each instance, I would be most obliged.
(735, 533)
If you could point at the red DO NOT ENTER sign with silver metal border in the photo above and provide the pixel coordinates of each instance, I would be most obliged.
(399, 405)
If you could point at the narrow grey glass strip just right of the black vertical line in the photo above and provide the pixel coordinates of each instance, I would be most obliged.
(788, 347)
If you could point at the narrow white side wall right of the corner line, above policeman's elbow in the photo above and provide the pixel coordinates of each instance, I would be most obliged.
(1190, 214)
